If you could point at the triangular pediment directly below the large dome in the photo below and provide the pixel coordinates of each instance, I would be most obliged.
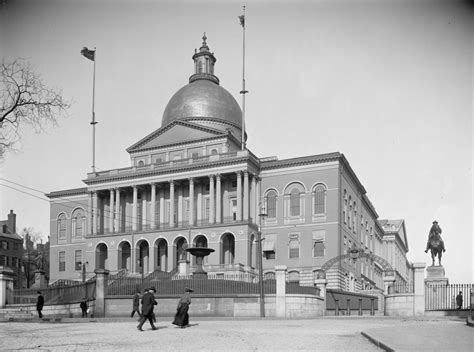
(176, 132)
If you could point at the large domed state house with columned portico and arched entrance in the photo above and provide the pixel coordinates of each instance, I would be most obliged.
(191, 184)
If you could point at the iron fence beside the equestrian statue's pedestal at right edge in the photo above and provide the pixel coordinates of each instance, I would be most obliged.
(443, 297)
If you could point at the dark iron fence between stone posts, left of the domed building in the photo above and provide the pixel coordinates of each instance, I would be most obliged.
(60, 293)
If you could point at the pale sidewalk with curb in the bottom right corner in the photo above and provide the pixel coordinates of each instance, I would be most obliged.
(424, 335)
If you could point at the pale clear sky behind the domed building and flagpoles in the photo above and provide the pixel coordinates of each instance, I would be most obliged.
(387, 83)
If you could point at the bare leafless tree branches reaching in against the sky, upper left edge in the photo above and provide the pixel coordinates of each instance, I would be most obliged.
(25, 101)
